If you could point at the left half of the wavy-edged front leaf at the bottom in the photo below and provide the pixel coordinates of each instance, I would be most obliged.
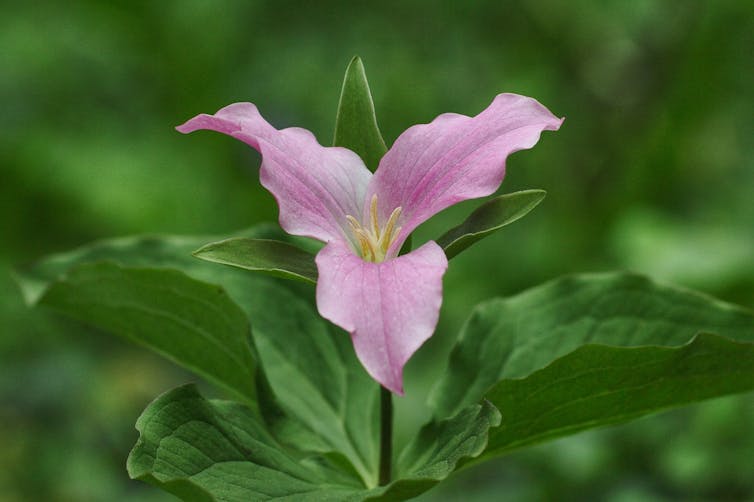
(218, 450)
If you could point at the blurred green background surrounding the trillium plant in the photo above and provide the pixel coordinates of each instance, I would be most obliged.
(652, 171)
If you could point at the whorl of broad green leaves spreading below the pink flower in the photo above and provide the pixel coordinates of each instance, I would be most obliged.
(572, 354)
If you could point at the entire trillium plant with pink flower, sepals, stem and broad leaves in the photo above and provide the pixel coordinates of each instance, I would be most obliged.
(307, 332)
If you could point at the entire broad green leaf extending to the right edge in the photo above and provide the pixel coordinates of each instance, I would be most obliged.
(644, 359)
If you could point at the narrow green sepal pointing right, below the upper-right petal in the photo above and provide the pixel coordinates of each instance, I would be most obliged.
(488, 218)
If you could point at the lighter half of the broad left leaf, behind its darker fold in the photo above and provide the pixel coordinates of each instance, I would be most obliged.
(326, 400)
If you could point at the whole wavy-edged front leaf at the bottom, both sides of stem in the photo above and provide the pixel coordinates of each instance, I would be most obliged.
(219, 450)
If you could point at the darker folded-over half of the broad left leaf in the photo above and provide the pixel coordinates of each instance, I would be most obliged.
(190, 322)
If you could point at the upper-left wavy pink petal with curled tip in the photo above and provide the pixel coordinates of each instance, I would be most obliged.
(315, 186)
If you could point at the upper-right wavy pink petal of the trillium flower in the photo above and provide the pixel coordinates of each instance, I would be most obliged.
(454, 158)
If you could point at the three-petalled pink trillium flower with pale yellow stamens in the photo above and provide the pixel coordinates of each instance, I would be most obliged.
(389, 304)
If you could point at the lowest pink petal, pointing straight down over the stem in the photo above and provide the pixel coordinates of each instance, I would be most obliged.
(390, 308)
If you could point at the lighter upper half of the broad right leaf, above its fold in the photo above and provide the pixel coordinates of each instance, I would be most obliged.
(513, 337)
